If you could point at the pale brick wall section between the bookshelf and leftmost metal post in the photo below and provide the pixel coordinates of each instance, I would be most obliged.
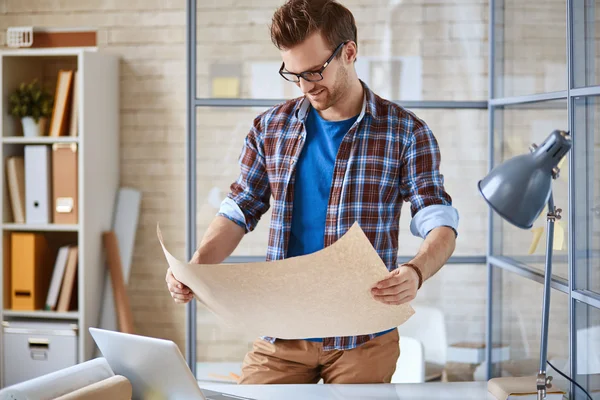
(149, 37)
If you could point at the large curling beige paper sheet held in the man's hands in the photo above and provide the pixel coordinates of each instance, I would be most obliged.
(323, 294)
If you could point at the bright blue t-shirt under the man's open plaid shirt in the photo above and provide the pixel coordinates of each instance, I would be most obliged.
(314, 173)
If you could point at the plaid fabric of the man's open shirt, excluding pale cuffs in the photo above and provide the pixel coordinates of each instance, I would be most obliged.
(388, 156)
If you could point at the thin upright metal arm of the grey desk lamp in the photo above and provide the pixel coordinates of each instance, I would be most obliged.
(543, 382)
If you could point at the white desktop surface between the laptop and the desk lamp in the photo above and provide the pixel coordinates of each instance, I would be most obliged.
(413, 391)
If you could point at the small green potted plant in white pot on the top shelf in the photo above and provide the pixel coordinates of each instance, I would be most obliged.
(33, 105)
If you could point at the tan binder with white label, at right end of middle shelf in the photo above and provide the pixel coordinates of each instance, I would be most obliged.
(64, 183)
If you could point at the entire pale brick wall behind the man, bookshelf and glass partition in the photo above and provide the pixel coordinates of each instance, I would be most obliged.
(450, 38)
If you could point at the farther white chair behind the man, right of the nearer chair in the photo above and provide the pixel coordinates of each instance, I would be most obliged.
(428, 325)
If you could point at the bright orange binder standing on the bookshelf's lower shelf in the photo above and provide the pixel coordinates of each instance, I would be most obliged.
(30, 272)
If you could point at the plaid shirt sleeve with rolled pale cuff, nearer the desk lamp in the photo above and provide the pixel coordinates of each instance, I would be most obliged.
(422, 184)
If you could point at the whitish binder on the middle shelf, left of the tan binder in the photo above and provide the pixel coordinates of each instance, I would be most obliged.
(37, 184)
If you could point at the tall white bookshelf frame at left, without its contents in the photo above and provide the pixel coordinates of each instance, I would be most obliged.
(98, 173)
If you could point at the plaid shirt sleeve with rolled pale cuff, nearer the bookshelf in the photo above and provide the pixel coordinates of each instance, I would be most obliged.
(250, 193)
